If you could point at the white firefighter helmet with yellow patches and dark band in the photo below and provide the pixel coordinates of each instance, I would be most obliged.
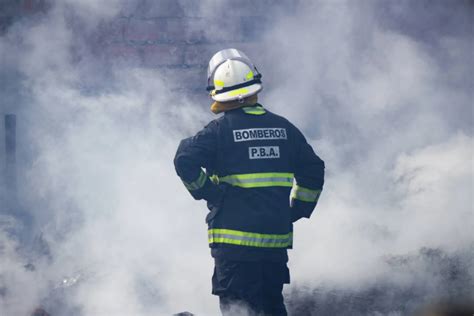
(232, 76)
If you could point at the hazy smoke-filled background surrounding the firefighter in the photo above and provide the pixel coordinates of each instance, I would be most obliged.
(382, 89)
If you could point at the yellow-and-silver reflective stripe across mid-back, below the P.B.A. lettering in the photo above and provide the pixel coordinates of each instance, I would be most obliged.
(257, 180)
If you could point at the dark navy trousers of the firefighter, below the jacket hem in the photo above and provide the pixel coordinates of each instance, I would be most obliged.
(250, 288)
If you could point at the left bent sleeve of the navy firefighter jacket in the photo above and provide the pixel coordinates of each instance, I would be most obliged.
(193, 154)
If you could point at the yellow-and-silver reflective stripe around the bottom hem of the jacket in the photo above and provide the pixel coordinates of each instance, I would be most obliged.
(236, 237)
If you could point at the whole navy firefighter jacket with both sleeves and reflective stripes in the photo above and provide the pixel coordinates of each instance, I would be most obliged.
(245, 164)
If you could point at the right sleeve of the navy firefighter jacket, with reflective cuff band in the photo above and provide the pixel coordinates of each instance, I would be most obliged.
(309, 176)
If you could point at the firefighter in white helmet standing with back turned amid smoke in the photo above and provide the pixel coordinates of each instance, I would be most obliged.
(251, 158)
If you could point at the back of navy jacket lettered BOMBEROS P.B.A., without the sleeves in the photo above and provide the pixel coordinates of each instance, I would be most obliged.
(255, 163)
